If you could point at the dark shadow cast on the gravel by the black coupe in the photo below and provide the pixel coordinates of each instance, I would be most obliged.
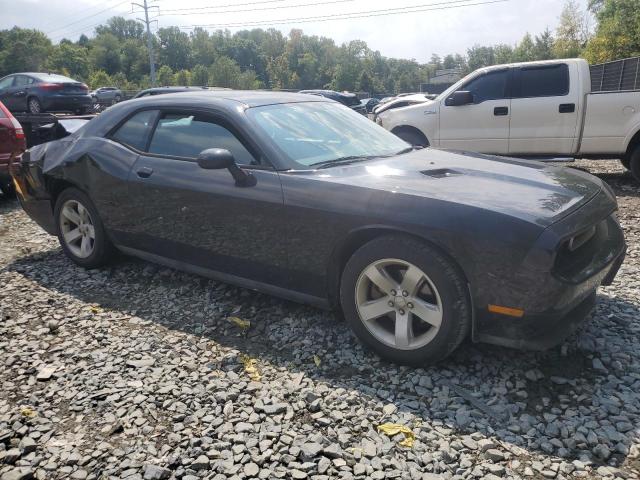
(499, 392)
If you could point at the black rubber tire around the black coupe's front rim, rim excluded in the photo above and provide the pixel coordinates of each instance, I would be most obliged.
(445, 275)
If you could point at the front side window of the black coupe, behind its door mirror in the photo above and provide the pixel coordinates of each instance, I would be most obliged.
(186, 135)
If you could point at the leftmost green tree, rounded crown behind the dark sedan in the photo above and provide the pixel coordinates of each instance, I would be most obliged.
(23, 50)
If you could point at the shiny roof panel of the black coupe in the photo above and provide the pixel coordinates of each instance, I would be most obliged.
(248, 98)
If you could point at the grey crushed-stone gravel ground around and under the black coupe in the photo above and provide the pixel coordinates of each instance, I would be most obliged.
(137, 371)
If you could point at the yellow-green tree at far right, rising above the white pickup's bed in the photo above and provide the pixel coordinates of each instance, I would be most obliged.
(618, 31)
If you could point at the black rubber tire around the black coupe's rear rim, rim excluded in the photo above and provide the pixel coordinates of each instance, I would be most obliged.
(103, 249)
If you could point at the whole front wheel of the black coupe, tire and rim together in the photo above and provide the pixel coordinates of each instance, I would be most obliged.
(442, 289)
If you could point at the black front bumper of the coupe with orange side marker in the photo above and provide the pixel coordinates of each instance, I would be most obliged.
(556, 288)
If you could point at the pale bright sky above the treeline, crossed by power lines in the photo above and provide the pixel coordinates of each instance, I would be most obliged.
(442, 27)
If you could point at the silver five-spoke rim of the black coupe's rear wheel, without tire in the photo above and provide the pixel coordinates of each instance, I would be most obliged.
(76, 226)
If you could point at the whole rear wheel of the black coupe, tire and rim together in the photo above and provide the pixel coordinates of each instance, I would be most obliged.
(100, 250)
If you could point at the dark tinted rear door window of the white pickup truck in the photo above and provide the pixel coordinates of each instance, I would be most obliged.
(542, 81)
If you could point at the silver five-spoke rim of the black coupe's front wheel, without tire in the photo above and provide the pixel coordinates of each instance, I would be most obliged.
(398, 303)
